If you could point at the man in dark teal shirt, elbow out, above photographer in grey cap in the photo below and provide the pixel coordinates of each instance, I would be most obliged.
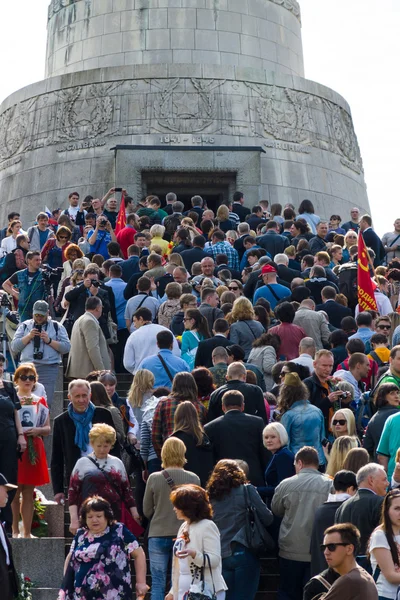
(28, 285)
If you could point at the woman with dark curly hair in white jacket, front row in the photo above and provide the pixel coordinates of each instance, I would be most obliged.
(197, 549)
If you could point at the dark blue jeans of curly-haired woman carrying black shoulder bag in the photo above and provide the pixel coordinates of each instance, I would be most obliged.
(241, 572)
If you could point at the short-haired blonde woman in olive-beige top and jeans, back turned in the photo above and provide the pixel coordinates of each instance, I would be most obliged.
(157, 506)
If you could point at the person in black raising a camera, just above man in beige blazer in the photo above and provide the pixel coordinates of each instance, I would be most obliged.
(91, 286)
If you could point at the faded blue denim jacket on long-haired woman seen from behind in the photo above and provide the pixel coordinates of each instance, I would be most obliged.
(305, 426)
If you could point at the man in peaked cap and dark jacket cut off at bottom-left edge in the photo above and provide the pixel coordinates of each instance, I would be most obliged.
(8, 575)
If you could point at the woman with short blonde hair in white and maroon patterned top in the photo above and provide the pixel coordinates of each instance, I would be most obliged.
(100, 472)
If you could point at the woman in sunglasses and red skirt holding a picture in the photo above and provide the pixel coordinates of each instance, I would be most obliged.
(32, 468)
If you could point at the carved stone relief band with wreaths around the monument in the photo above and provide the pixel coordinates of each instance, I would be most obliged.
(183, 111)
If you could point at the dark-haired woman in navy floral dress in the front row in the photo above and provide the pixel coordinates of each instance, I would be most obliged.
(97, 566)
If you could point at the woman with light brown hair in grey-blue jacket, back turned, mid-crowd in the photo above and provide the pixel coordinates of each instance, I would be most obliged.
(245, 328)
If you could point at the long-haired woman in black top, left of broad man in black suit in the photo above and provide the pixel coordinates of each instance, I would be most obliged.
(187, 427)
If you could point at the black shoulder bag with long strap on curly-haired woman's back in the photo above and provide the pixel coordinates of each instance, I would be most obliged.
(253, 535)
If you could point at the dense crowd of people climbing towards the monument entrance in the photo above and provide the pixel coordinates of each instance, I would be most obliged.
(263, 410)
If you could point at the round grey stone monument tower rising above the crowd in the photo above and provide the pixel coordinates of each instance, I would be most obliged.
(191, 96)
